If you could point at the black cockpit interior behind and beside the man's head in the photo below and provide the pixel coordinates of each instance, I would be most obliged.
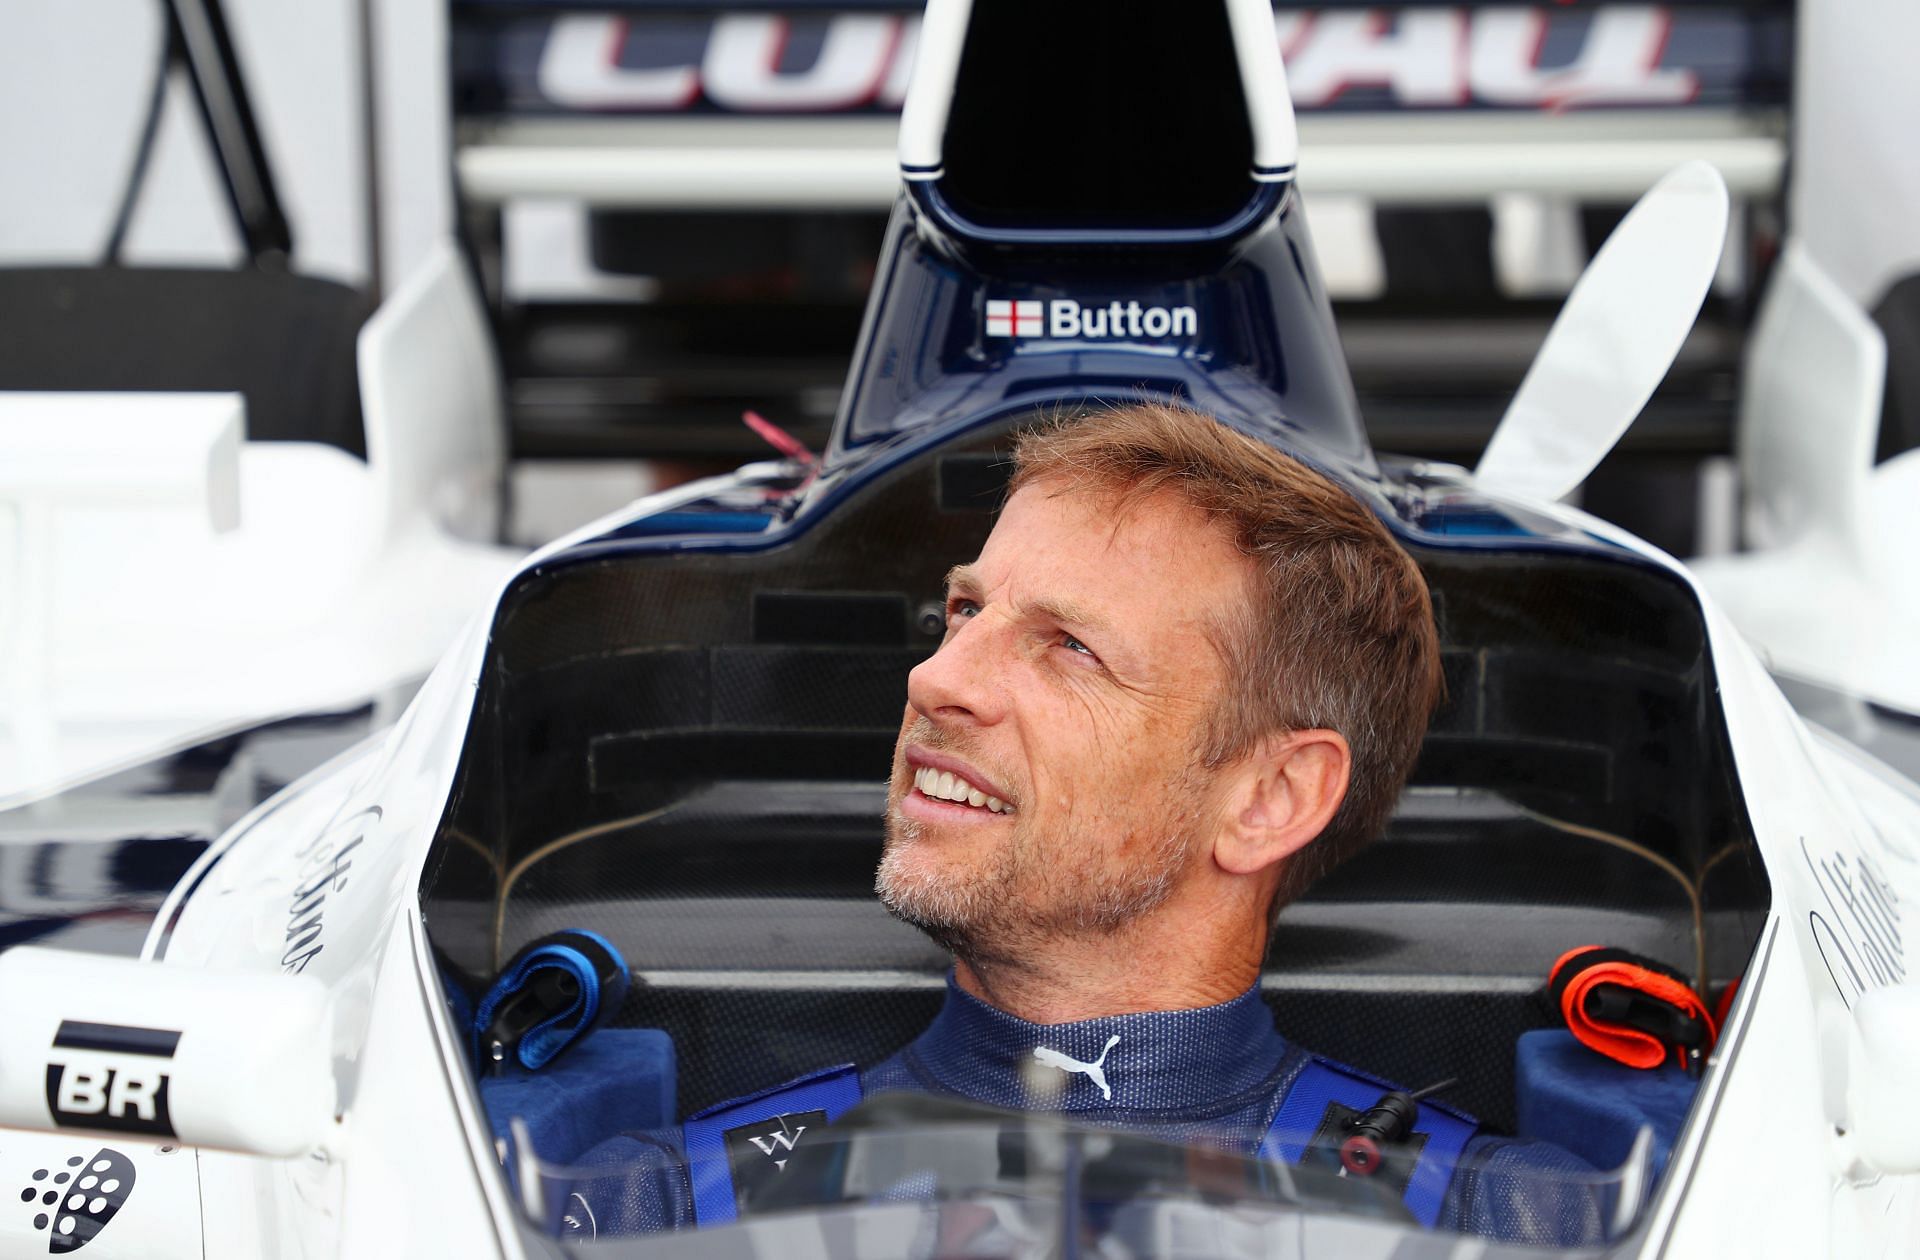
(684, 750)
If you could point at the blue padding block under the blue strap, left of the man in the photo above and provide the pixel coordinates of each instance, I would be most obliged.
(610, 1082)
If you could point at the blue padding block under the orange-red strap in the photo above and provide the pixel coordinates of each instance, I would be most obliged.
(1593, 1105)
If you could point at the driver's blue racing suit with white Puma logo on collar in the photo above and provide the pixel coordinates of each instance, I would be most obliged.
(1218, 1077)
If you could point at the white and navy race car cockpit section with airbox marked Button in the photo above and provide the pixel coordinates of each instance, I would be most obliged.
(661, 760)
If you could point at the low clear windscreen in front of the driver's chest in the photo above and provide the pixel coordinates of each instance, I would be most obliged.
(919, 1176)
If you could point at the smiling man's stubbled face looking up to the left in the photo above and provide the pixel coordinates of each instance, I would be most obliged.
(1072, 687)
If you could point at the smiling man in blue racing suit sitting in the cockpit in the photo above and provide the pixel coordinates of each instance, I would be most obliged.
(1184, 679)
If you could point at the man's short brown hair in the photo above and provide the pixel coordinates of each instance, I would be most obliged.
(1341, 633)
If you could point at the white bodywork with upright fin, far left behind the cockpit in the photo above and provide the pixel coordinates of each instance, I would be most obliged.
(220, 585)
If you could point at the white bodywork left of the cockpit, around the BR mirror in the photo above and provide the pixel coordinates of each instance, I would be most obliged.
(412, 1167)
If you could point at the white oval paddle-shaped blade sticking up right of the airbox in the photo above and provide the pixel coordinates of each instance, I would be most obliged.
(1621, 329)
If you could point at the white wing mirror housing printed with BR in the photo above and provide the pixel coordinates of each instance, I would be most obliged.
(155, 1054)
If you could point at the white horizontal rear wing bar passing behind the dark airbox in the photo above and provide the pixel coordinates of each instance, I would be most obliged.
(850, 164)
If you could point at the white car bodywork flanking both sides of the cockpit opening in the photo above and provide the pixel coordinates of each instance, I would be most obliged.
(1762, 1169)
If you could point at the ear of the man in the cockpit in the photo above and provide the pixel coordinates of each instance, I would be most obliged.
(1282, 796)
